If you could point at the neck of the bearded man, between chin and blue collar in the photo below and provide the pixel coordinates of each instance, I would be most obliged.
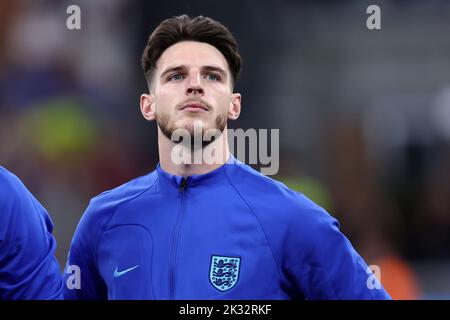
(181, 161)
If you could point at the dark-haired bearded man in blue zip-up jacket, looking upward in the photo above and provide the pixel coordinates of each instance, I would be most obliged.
(209, 229)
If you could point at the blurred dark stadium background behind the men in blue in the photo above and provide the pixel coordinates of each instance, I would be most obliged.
(364, 115)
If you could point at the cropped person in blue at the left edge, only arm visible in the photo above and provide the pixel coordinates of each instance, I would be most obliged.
(28, 268)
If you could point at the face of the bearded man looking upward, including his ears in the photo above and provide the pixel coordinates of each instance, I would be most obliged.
(192, 83)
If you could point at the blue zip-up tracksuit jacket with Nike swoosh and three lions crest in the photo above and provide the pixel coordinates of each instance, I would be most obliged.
(232, 233)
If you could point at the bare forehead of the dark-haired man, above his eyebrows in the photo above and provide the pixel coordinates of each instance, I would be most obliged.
(191, 54)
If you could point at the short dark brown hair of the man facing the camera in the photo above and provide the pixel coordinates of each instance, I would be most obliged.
(185, 28)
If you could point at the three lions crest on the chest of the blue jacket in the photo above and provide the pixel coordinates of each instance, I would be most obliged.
(224, 272)
